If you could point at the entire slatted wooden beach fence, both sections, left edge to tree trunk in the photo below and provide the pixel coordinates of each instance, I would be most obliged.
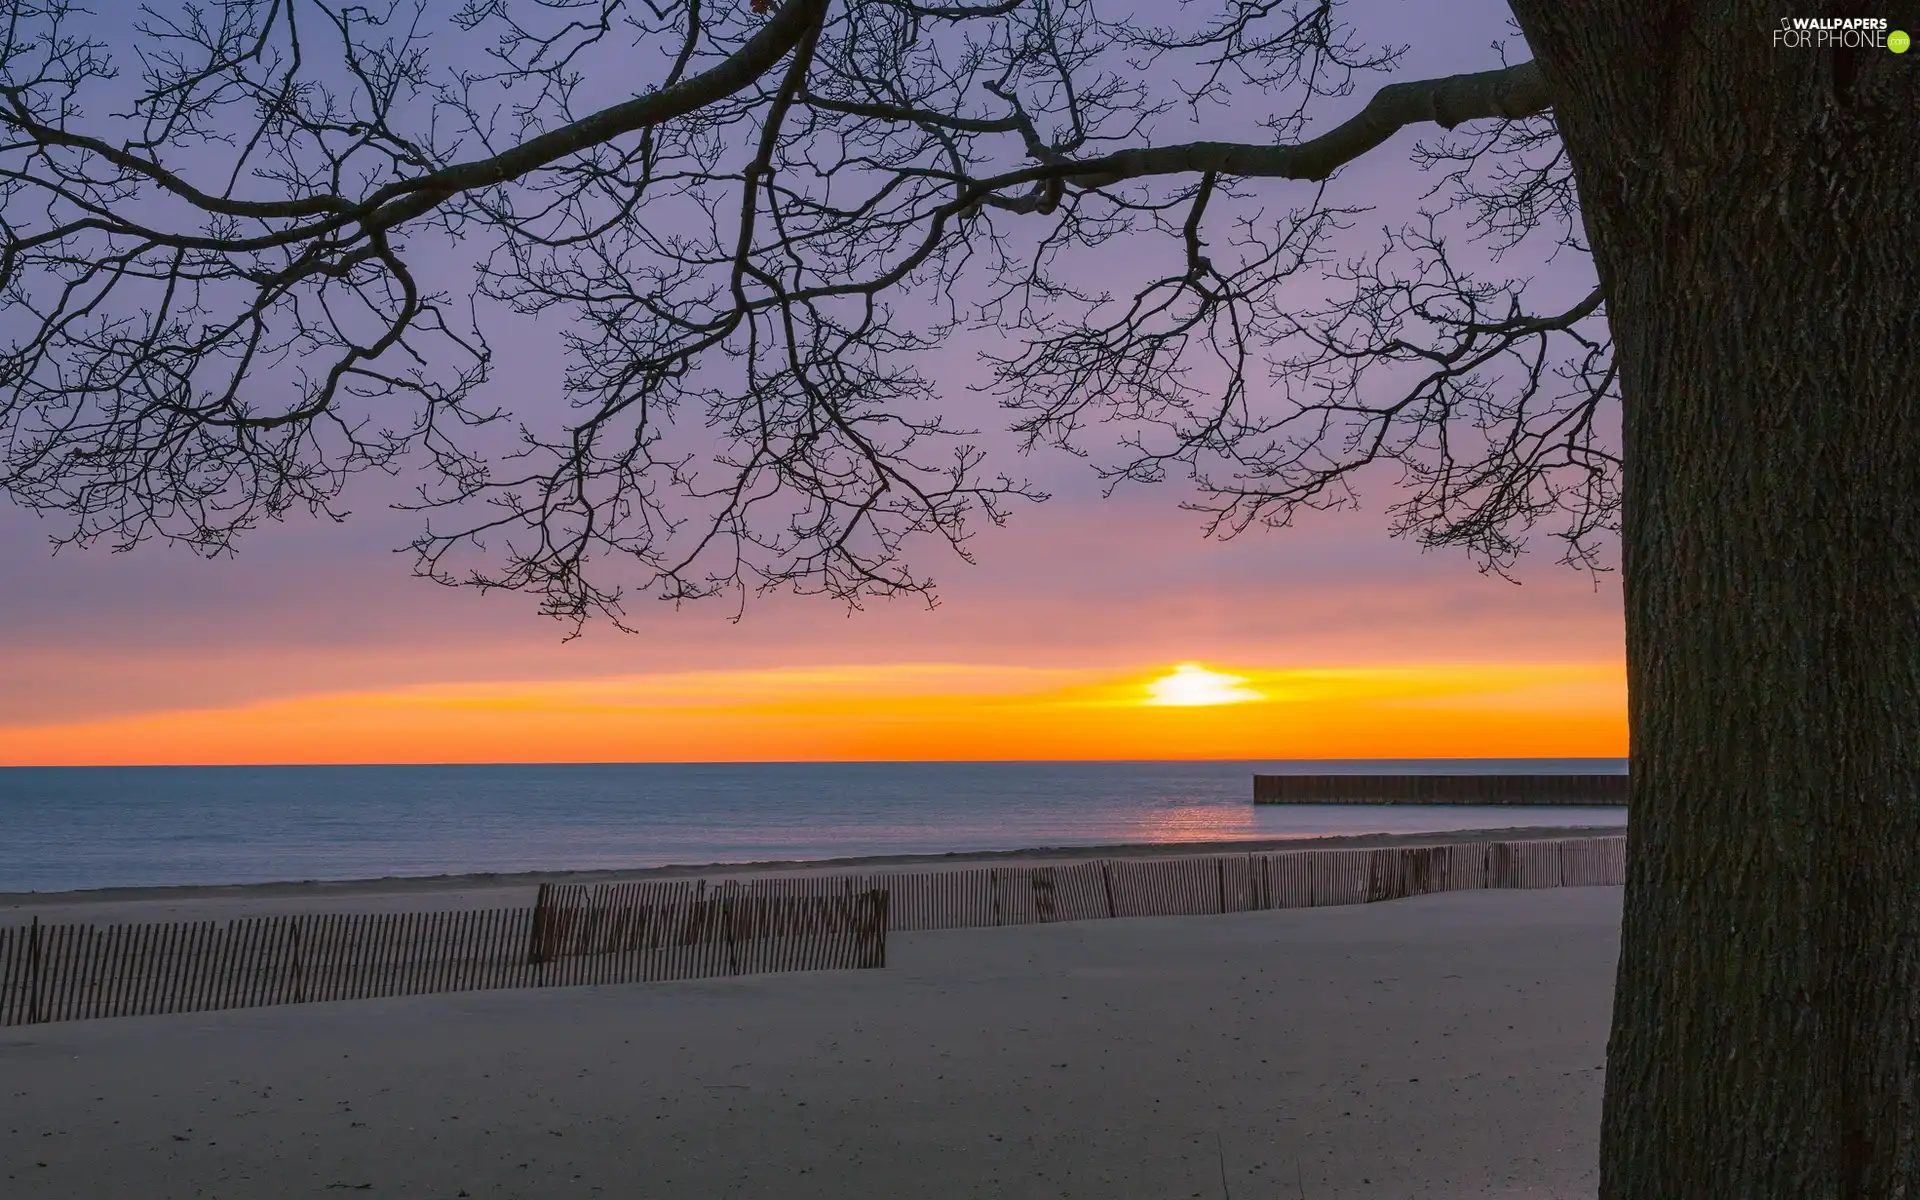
(694, 928)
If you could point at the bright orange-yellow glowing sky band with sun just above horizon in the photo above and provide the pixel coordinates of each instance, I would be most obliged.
(890, 713)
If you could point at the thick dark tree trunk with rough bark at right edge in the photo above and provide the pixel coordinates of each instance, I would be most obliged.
(1756, 220)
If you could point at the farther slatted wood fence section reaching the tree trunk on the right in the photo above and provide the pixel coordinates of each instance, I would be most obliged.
(1191, 886)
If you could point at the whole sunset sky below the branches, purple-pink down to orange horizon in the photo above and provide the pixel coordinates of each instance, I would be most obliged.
(1328, 640)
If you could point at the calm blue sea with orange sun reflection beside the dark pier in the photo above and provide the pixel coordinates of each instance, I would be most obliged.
(68, 828)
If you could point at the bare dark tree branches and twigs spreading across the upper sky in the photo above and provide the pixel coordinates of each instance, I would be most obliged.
(228, 287)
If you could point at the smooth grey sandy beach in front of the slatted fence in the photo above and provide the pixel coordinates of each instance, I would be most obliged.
(1439, 1047)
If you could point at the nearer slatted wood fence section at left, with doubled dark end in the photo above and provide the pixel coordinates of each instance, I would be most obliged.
(74, 972)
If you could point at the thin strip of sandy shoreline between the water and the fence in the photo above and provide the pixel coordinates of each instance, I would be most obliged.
(496, 882)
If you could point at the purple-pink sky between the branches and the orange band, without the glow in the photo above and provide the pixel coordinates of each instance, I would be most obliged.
(1082, 583)
